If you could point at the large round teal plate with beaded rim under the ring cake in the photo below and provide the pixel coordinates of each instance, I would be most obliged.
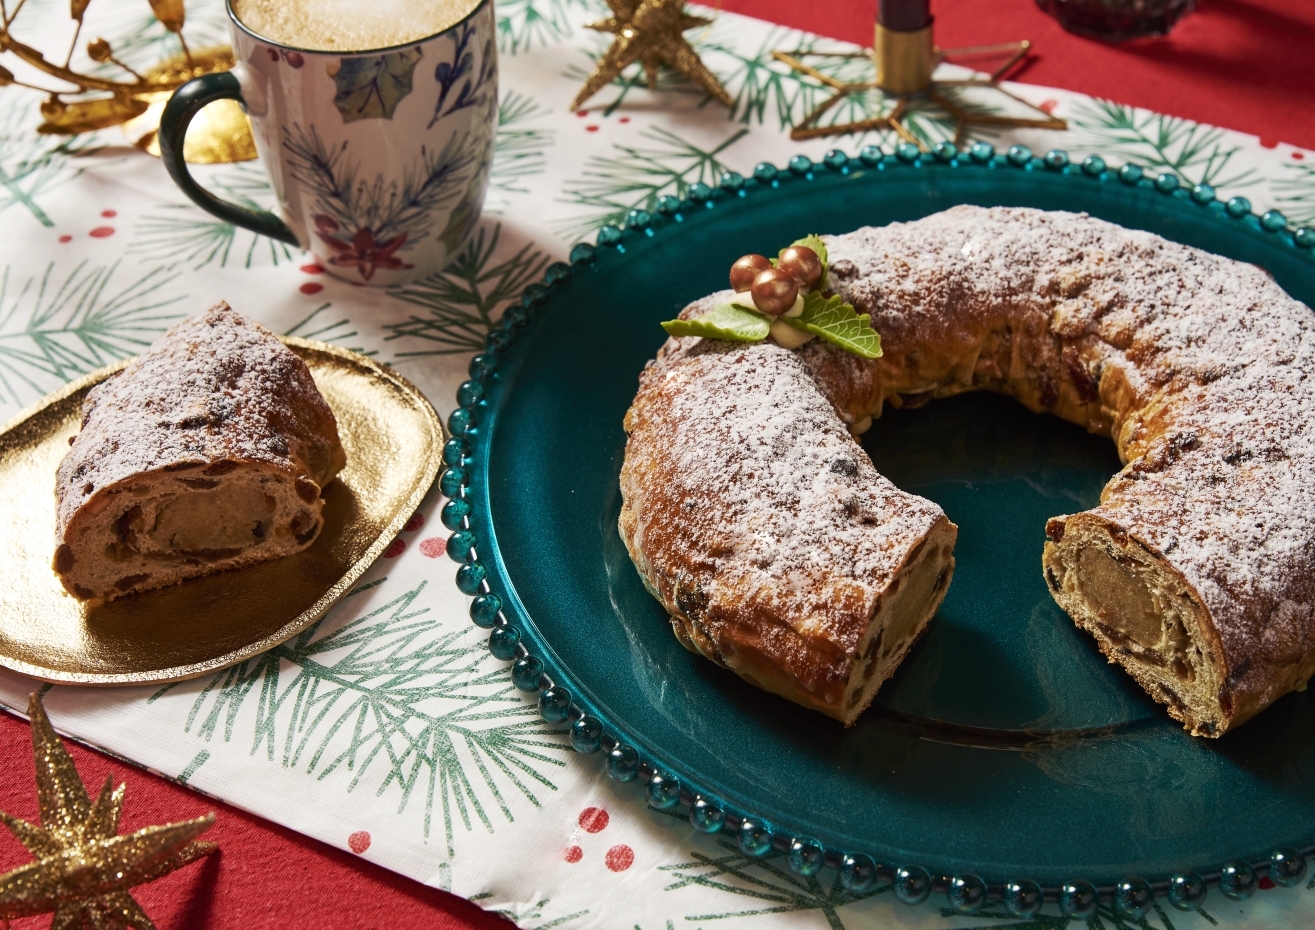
(1005, 746)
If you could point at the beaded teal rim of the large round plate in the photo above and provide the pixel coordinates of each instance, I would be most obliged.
(859, 873)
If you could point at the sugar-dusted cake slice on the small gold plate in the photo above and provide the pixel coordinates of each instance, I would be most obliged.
(208, 452)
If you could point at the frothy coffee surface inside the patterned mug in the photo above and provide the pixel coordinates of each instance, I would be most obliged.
(350, 26)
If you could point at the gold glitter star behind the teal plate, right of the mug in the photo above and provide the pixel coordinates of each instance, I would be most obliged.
(650, 32)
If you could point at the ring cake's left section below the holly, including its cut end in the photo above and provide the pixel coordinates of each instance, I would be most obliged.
(766, 532)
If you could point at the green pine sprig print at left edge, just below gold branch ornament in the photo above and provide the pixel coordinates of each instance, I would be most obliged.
(32, 166)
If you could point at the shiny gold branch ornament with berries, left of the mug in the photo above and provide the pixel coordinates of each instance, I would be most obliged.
(133, 102)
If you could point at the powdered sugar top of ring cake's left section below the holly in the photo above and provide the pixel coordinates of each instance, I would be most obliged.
(738, 460)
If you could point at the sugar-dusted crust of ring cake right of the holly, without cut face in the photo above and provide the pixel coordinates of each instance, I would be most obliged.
(1205, 370)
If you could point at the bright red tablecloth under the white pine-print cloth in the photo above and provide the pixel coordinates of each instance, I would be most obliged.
(1237, 64)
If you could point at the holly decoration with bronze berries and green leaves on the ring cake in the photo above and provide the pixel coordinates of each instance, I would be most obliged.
(787, 299)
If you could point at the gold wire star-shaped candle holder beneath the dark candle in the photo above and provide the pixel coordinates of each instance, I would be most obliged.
(907, 65)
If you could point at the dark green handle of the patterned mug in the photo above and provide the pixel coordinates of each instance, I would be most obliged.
(186, 103)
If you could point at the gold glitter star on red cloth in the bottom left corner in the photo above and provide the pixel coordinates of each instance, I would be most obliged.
(84, 868)
